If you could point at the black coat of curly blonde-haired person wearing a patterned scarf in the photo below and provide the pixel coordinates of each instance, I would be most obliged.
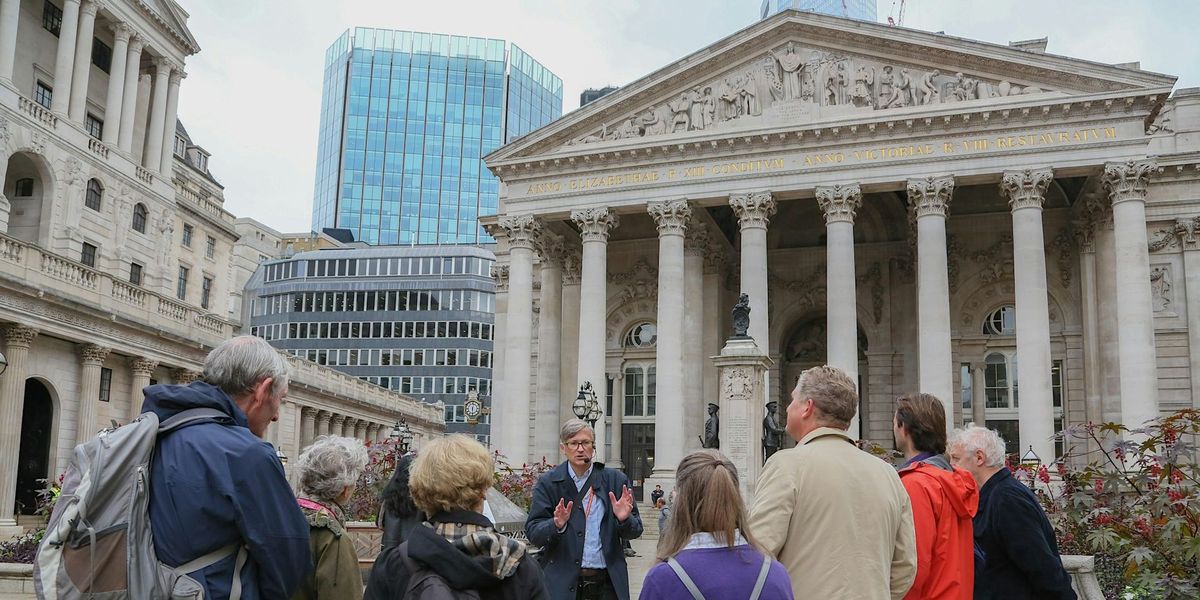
(391, 574)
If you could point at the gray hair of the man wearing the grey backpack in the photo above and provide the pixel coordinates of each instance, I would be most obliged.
(238, 365)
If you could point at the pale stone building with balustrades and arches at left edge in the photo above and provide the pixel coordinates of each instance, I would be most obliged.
(118, 260)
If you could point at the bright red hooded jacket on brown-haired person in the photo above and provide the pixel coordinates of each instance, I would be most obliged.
(944, 503)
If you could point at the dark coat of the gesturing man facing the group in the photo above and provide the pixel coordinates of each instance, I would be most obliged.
(562, 554)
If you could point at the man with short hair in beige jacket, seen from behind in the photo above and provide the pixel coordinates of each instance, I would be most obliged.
(836, 517)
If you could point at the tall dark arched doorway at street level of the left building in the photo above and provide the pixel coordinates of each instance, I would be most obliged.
(37, 431)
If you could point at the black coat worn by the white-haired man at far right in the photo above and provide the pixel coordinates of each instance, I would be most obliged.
(1021, 556)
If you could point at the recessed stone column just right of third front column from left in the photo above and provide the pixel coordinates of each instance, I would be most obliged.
(694, 247)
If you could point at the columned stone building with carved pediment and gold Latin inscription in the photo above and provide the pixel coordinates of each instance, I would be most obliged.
(1011, 231)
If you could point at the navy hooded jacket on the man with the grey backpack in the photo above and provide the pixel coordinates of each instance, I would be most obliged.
(213, 484)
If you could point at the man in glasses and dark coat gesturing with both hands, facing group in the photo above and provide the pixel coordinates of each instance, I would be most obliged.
(580, 521)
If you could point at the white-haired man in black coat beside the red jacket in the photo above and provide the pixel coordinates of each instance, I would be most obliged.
(1017, 554)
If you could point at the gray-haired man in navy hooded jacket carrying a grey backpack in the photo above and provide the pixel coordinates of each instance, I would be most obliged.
(215, 484)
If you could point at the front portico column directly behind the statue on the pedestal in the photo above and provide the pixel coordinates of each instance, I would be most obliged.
(754, 213)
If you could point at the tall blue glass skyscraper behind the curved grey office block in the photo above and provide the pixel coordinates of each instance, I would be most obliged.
(406, 119)
